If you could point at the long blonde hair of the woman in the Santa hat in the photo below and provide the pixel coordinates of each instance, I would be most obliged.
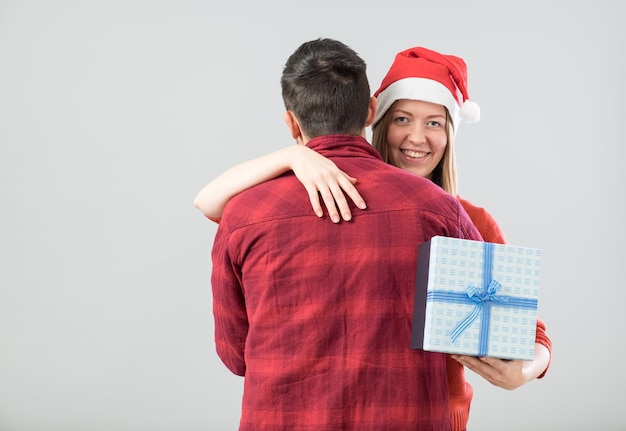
(444, 175)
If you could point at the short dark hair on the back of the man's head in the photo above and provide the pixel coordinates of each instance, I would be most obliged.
(324, 83)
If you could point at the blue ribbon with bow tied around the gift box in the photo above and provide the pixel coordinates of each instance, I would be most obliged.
(483, 298)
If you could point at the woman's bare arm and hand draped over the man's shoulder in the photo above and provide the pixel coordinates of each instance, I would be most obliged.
(318, 175)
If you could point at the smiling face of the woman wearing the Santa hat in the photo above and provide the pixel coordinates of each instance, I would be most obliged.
(417, 136)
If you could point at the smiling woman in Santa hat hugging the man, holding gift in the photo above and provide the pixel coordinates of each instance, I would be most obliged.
(421, 102)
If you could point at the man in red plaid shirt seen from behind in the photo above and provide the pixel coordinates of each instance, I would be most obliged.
(317, 315)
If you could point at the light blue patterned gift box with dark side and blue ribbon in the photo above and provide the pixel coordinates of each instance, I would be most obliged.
(476, 298)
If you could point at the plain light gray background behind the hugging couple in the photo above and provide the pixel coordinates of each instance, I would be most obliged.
(113, 115)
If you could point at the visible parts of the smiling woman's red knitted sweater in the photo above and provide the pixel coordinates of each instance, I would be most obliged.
(460, 390)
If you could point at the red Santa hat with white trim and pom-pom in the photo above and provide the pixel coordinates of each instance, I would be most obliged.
(422, 74)
